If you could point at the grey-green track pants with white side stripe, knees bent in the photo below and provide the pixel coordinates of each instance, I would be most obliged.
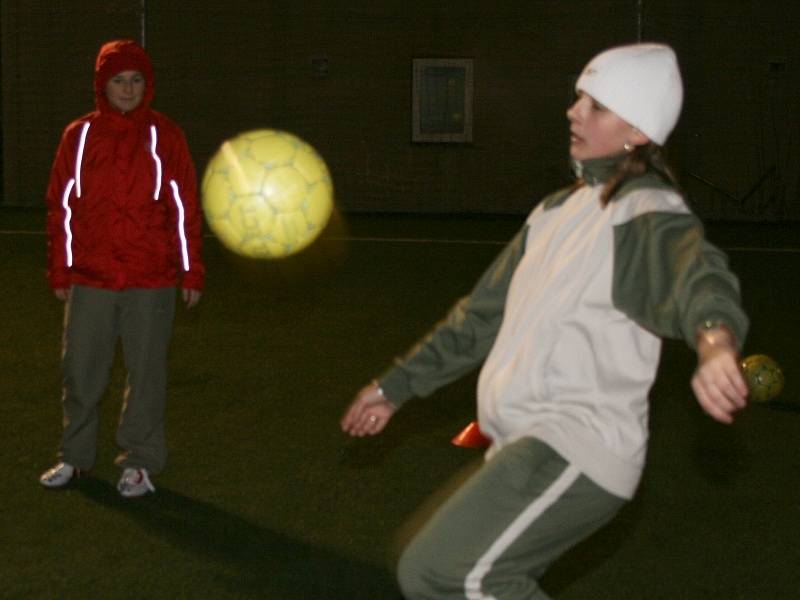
(499, 532)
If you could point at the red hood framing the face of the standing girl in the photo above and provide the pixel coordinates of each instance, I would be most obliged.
(118, 56)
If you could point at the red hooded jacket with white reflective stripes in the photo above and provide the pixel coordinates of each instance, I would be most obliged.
(122, 198)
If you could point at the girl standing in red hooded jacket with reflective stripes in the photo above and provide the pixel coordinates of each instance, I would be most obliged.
(124, 229)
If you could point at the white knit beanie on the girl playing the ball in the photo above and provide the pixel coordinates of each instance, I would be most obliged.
(641, 83)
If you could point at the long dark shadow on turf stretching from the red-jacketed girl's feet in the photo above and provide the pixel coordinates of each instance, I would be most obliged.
(252, 559)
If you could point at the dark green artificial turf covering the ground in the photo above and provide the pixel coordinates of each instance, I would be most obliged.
(264, 497)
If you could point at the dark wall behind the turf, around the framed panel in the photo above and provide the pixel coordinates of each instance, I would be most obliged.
(225, 67)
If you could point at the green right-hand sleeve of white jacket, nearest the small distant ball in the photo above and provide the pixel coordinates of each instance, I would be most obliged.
(670, 279)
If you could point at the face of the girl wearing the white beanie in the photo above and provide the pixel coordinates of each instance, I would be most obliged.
(597, 132)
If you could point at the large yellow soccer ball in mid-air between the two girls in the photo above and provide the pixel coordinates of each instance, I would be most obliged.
(267, 194)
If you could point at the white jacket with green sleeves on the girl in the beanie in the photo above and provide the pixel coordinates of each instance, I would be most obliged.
(569, 320)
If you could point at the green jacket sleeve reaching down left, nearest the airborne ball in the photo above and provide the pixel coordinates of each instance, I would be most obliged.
(462, 340)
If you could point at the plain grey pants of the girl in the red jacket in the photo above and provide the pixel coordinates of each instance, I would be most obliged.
(94, 321)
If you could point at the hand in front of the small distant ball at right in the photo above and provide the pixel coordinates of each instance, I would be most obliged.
(718, 382)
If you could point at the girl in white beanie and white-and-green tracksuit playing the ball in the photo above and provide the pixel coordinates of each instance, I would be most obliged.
(568, 322)
